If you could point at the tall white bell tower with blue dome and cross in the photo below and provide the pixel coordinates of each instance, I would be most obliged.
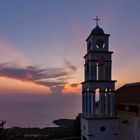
(98, 120)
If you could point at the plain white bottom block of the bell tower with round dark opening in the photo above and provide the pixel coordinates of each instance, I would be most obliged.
(91, 129)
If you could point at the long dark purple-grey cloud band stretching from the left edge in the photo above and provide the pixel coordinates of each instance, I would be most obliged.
(48, 77)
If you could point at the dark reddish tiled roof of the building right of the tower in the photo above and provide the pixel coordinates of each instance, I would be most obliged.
(129, 93)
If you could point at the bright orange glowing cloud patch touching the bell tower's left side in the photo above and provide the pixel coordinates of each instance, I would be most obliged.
(72, 88)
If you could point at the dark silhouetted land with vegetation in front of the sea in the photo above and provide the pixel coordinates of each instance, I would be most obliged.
(66, 129)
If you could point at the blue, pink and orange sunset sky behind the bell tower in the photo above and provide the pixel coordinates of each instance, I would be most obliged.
(42, 44)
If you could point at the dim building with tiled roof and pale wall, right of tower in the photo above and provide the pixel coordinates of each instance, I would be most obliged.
(128, 111)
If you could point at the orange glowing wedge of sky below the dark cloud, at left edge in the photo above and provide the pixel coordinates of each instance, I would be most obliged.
(14, 86)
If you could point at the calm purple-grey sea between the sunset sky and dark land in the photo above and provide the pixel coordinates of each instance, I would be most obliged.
(38, 111)
